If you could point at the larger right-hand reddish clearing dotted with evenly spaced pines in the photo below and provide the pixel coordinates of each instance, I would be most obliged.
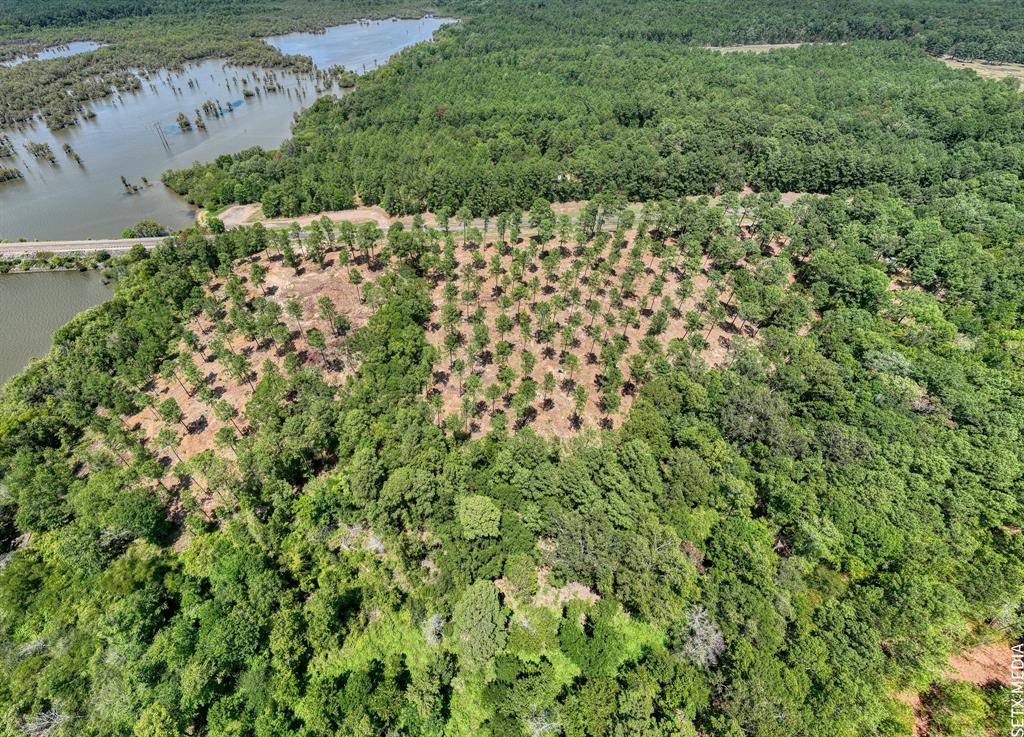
(563, 316)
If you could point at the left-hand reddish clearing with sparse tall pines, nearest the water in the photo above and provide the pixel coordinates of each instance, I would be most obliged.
(225, 365)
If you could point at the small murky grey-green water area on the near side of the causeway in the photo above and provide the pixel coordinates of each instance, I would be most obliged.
(33, 307)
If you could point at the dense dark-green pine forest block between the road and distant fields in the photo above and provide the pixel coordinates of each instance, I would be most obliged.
(497, 112)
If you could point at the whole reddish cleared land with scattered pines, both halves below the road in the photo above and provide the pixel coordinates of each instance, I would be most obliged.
(557, 332)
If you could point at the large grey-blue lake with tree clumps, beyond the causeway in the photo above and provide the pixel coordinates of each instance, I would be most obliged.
(136, 136)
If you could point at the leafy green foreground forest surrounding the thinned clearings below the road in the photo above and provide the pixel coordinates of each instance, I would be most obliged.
(774, 548)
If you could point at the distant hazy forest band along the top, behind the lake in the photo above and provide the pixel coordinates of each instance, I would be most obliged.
(165, 34)
